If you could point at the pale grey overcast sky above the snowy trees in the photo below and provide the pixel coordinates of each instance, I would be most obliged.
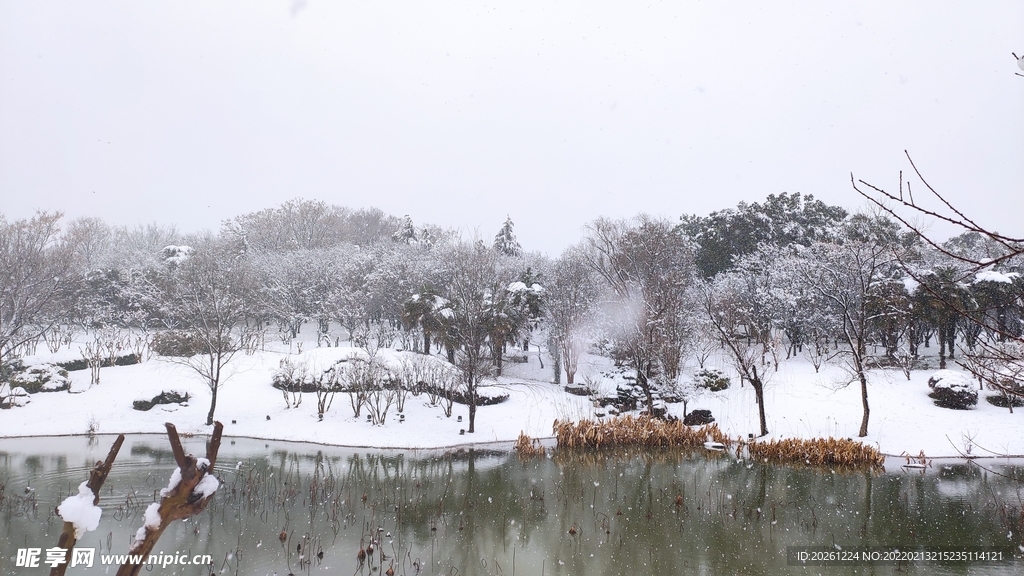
(460, 114)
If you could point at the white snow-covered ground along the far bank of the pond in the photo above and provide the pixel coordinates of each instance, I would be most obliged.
(799, 403)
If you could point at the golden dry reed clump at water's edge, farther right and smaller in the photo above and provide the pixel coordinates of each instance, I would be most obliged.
(818, 452)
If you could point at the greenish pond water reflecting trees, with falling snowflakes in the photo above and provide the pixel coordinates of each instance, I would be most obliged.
(490, 513)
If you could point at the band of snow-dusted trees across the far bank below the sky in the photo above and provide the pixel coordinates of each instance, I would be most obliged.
(785, 277)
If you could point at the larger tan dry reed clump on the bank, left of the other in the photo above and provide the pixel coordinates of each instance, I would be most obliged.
(627, 431)
